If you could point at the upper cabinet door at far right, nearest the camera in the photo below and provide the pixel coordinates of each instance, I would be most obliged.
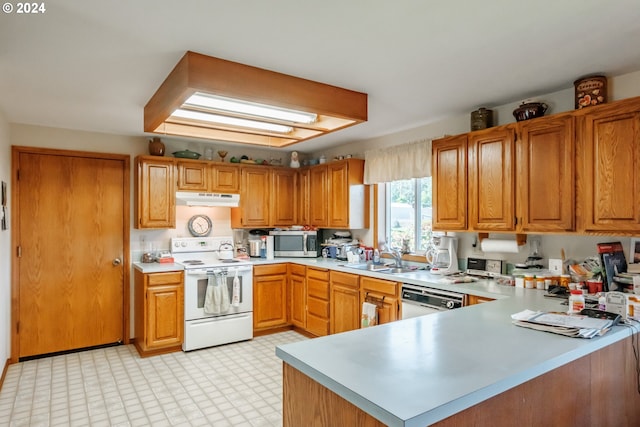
(610, 154)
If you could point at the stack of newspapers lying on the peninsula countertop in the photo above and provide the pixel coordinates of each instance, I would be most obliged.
(574, 325)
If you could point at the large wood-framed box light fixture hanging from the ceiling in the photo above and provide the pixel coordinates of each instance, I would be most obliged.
(215, 99)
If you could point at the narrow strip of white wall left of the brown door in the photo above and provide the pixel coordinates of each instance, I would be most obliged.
(5, 247)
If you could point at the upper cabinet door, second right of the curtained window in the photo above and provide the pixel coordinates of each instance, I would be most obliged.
(491, 180)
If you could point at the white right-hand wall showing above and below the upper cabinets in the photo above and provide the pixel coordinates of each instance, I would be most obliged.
(577, 247)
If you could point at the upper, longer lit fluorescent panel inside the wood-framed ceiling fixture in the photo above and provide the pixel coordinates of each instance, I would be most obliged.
(230, 105)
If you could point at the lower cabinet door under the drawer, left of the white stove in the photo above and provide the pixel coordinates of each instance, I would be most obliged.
(164, 316)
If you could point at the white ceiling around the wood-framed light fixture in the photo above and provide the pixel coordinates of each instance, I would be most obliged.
(92, 65)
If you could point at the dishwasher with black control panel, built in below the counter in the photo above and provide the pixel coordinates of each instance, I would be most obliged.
(421, 300)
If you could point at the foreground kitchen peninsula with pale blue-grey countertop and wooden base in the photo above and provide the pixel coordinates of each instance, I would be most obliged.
(470, 366)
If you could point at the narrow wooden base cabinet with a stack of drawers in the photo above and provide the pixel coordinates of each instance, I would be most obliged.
(318, 301)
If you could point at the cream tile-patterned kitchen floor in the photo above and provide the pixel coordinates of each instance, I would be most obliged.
(233, 385)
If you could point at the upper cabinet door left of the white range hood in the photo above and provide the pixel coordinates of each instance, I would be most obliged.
(156, 193)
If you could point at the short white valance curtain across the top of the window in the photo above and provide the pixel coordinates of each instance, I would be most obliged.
(412, 160)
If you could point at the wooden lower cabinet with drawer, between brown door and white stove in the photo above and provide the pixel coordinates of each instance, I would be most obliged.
(159, 312)
